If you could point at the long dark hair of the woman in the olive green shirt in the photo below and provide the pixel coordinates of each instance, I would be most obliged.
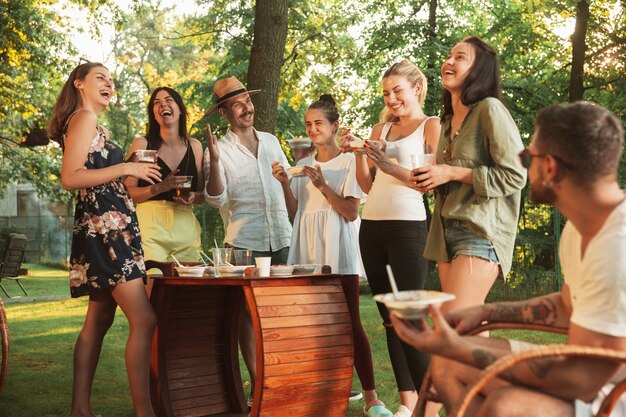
(482, 81)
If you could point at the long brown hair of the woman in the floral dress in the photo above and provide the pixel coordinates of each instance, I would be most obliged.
(68, 101)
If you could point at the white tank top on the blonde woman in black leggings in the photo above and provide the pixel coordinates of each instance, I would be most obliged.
(389, 198)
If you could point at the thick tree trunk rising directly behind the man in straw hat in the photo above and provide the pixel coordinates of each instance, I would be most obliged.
(266, 60)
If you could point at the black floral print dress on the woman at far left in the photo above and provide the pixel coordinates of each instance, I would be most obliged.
(106, 243)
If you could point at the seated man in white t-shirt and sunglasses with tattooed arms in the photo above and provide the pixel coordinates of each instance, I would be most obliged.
(572, 164)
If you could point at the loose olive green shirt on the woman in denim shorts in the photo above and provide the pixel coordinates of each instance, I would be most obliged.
(489, 143)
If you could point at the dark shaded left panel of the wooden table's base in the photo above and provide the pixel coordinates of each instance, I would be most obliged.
(196, 371)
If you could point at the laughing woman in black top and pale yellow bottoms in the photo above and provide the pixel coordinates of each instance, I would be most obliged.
(166, 220)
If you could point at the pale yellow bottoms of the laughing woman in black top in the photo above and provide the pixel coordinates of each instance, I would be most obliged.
(168, 228)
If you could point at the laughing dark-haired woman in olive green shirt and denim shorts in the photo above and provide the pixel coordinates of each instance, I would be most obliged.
(477, 179)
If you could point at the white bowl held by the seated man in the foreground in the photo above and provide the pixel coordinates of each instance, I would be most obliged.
(413, 304)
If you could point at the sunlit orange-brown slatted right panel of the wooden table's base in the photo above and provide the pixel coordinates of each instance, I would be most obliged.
(307, 350)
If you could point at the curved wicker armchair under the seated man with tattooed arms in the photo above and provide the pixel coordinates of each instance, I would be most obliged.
(428, 394)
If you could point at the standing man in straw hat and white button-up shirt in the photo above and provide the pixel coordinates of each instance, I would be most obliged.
(239, 181)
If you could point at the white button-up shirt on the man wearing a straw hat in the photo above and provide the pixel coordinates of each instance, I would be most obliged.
(252, 204)
